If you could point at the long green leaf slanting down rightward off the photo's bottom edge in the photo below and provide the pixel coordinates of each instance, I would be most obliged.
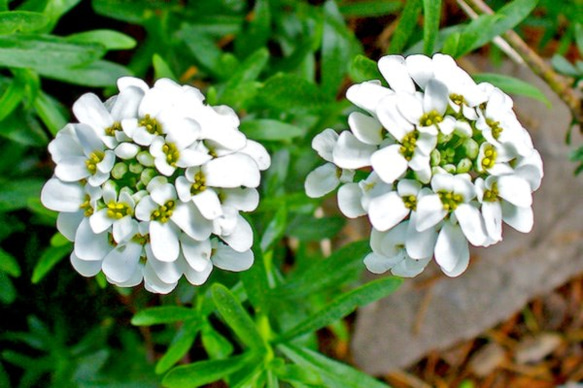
(334, 373)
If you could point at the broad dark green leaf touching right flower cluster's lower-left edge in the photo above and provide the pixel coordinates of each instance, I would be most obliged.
(342, 266)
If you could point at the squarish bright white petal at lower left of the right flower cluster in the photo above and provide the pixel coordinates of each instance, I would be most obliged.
(386, 211)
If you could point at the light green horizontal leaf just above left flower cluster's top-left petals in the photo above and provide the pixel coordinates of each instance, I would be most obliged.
(96, 74)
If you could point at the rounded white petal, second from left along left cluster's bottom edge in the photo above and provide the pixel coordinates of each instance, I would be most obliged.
(120, 264)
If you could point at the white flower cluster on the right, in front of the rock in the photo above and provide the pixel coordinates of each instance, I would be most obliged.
(435, 160)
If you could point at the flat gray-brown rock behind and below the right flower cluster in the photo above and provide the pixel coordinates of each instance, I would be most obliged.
(433, 312)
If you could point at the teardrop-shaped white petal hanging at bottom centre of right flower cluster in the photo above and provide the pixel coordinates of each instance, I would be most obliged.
(451, 250)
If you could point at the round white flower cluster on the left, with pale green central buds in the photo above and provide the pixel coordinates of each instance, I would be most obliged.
(149, 186)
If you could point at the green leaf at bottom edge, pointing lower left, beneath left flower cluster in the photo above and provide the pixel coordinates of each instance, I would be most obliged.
(204, 372)
